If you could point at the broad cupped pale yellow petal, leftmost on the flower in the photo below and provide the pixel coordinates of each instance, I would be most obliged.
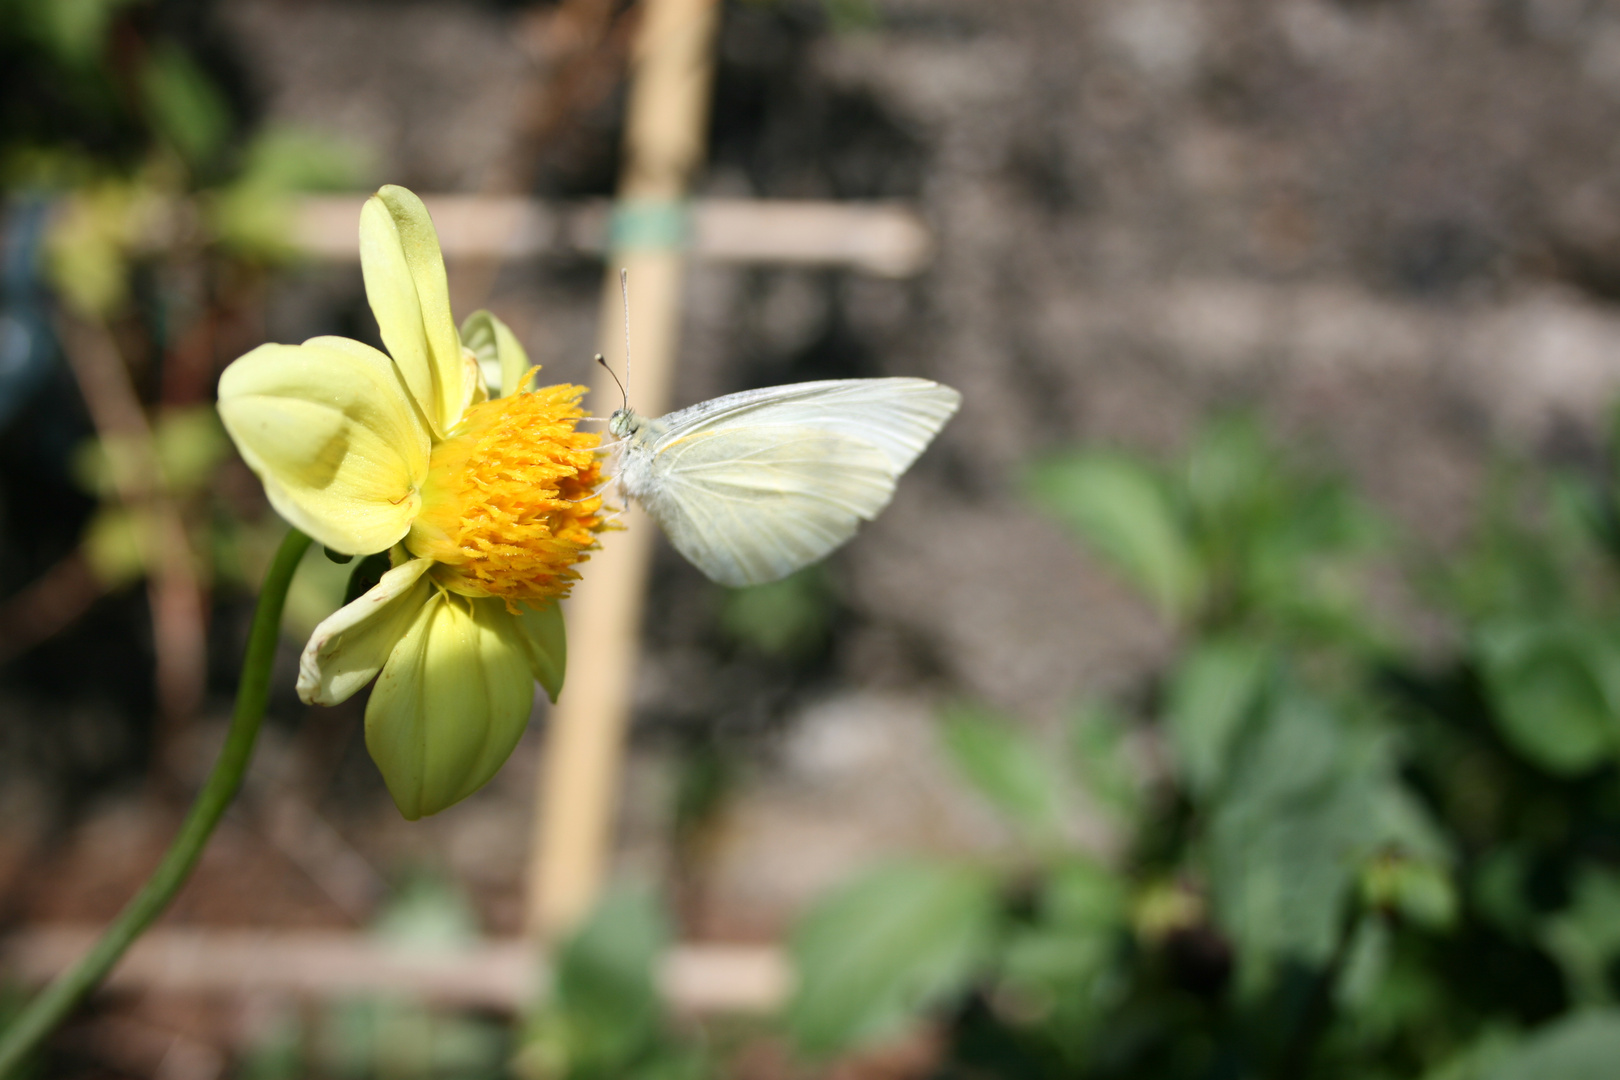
(333, 435)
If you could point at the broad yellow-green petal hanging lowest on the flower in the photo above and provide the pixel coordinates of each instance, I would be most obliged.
(451, 704)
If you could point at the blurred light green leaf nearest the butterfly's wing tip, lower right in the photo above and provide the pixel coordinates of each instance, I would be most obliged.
(1123, 512)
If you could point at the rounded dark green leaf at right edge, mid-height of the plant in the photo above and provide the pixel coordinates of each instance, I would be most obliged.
(1548, 700)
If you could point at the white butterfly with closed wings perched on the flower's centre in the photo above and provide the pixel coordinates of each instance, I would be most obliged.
(752, 487)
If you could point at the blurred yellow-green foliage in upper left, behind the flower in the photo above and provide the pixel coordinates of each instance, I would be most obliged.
(163, 211)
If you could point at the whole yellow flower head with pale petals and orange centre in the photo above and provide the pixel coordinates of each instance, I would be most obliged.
(485, 508)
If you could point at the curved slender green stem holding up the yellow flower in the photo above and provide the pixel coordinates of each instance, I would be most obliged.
(54, 1005)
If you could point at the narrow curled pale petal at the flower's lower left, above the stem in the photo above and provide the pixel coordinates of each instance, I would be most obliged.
(352, 645)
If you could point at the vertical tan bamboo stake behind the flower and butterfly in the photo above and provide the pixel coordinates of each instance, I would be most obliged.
(665, 127)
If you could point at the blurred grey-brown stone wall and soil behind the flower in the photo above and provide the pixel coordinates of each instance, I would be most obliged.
(1392, 231)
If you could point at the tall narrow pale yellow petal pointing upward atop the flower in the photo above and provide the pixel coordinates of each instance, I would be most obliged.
(411, 297)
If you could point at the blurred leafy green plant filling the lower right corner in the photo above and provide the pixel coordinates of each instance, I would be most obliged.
(1358, 854)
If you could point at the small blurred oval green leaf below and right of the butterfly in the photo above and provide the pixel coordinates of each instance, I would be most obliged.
(1005, 767)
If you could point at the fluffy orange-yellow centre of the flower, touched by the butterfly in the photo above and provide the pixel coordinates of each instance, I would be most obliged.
(511, 504)
